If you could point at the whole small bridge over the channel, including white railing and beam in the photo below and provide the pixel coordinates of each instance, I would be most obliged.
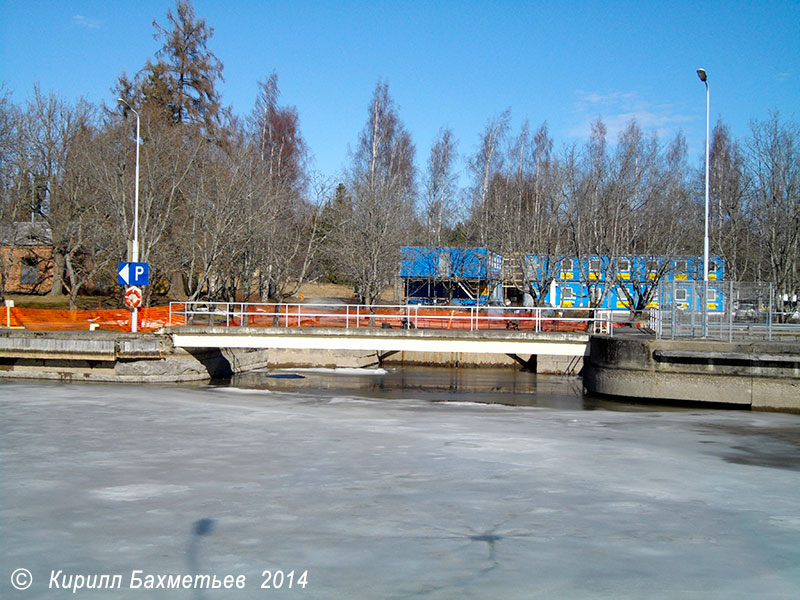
(482, 335)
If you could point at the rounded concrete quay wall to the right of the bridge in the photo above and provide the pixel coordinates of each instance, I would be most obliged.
(763, 375)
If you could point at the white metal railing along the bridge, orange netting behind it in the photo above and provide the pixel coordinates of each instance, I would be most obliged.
(537, 319)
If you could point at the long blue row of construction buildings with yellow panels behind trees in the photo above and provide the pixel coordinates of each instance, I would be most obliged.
(477, 276)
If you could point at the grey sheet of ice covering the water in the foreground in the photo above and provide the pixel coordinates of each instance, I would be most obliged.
(395, 495)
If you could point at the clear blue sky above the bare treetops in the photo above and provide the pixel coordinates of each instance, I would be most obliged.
(447, 63)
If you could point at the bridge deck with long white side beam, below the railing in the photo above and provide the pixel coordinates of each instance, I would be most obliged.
(384, 340)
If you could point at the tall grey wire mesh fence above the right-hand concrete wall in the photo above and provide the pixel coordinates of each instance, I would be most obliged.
(725, 310)
